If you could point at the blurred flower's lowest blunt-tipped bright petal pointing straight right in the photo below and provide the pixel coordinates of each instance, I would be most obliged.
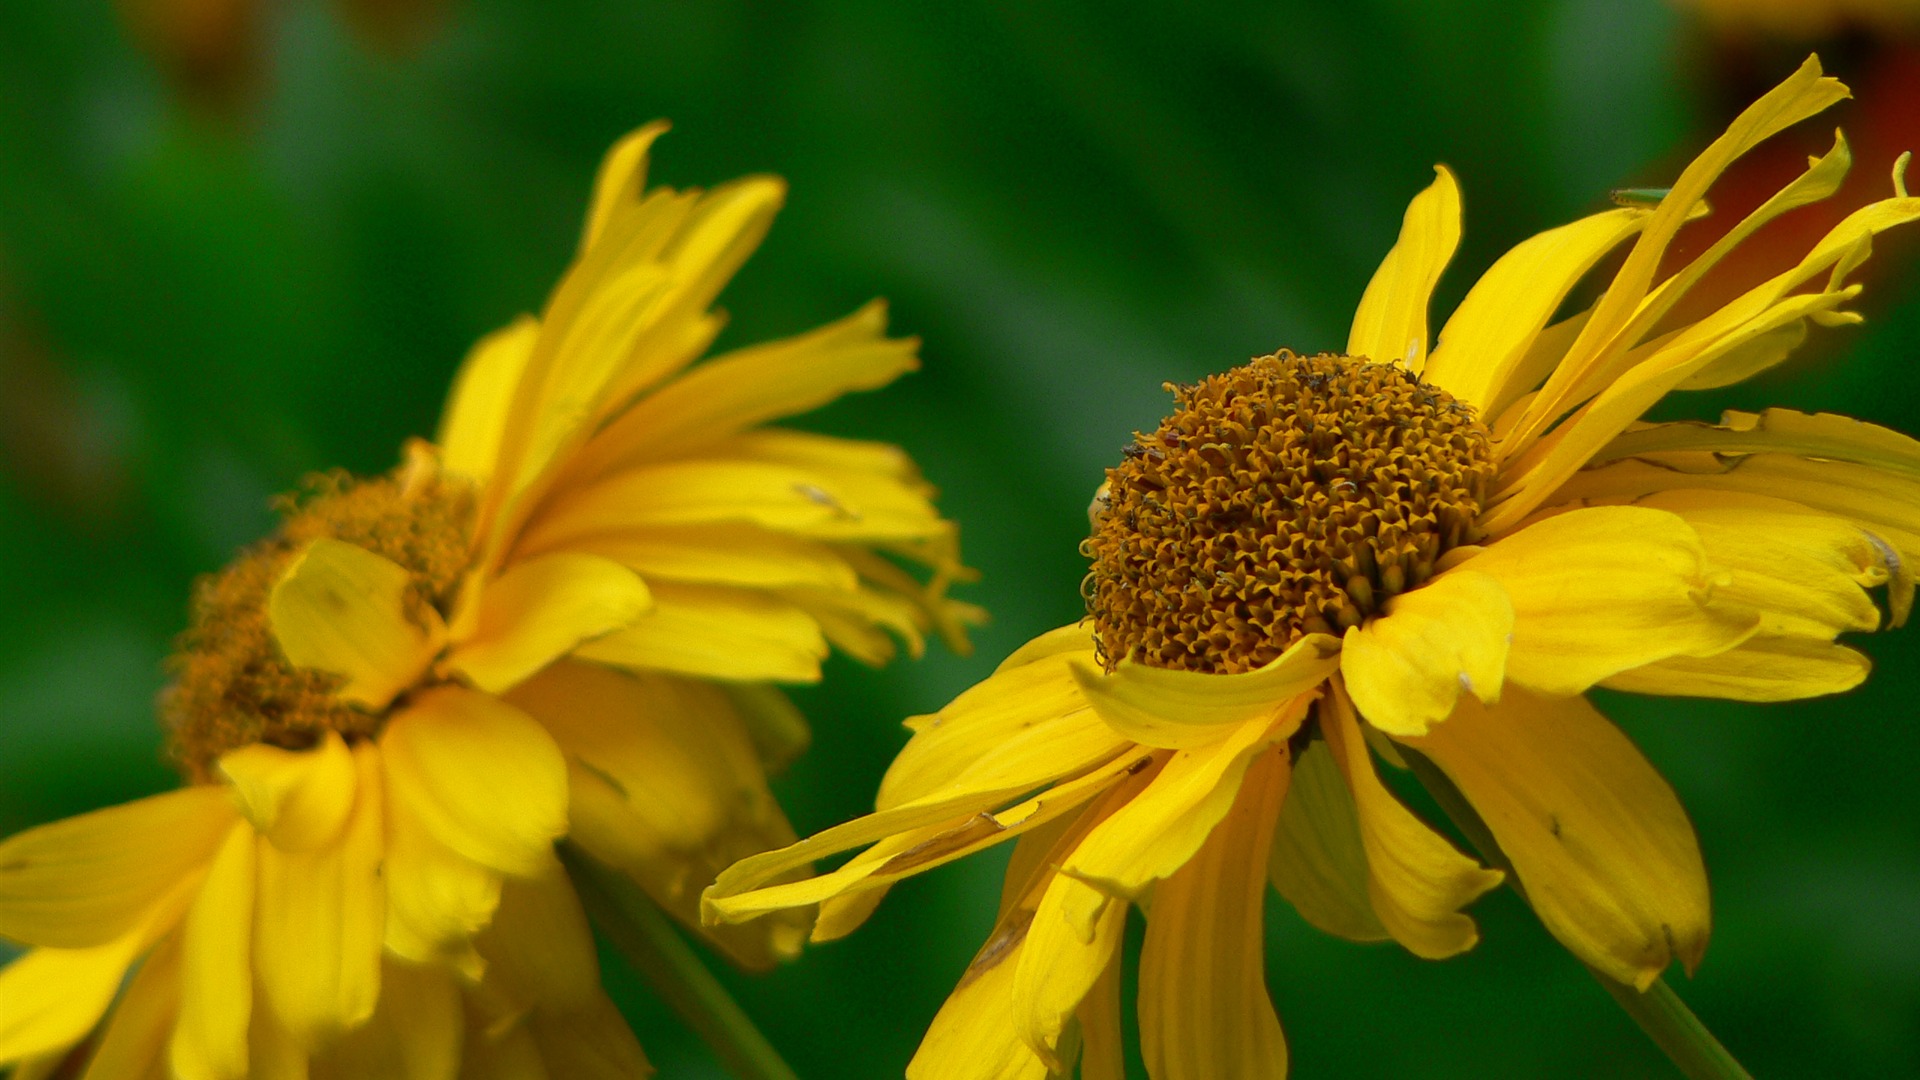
(719, 633)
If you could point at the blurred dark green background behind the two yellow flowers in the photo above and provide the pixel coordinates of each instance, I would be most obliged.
(235, 257)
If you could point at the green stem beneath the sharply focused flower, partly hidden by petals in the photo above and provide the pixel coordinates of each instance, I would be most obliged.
(1660, 1012)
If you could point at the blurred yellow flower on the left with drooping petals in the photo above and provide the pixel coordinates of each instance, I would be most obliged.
(562, 620)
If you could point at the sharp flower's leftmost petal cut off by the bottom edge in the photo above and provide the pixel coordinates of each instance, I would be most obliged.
(974, 1033)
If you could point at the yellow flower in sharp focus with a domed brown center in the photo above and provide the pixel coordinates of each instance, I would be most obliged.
(1322, 562)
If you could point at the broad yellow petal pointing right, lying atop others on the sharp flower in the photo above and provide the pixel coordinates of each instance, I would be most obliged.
(1608, 589)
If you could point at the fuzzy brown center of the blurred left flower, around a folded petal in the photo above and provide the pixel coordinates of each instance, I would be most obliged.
(233, 685)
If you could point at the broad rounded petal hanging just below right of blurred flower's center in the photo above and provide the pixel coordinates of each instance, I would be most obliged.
(481, 775)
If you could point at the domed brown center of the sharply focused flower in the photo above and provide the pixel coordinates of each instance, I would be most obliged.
(1287, 497)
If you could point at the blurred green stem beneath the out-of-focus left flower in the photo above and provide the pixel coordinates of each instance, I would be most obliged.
(648, 939)
